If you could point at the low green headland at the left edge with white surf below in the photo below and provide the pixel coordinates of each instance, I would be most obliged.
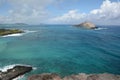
(4, 32)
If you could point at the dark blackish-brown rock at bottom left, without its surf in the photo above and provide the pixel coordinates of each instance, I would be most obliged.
(14, 72)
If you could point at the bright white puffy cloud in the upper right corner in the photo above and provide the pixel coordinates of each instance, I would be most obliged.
(108, 10)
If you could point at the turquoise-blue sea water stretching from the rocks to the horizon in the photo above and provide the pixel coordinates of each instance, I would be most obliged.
(63, 49)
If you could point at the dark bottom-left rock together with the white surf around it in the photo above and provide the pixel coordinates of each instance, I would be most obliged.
(14, 72)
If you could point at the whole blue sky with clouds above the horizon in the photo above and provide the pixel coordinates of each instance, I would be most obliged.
(101, 12)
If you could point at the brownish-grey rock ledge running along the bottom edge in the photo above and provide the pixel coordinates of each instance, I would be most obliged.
(80, 76)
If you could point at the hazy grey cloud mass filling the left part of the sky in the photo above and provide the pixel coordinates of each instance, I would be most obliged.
(26, 11)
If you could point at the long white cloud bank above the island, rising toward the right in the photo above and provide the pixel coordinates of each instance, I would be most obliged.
(108, 13)
